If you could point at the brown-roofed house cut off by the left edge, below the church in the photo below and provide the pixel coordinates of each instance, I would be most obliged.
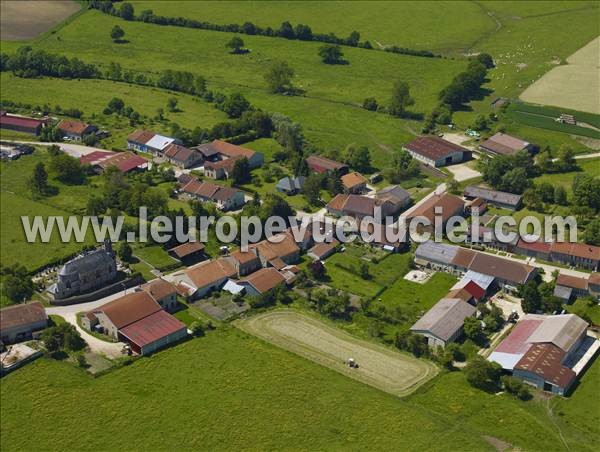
(18, 322)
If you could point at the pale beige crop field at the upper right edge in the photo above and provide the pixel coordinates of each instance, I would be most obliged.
(575, 85)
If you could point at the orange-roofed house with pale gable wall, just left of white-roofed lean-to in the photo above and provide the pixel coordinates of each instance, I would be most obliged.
(205, 277)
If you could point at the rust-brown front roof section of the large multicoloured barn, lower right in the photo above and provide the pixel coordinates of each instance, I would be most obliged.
(545, 360)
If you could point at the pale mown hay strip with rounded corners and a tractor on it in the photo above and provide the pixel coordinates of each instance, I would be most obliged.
(380, 367)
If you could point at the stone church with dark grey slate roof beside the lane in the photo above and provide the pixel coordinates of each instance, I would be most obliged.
(85, 273)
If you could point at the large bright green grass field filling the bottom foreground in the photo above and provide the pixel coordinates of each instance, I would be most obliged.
(238, 390)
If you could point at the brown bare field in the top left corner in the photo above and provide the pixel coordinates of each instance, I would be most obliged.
(26, 19)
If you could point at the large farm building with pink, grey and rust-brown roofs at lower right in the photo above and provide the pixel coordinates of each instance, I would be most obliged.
(542, 350)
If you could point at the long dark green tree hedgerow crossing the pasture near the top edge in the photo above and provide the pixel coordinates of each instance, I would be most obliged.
(286, 30)
